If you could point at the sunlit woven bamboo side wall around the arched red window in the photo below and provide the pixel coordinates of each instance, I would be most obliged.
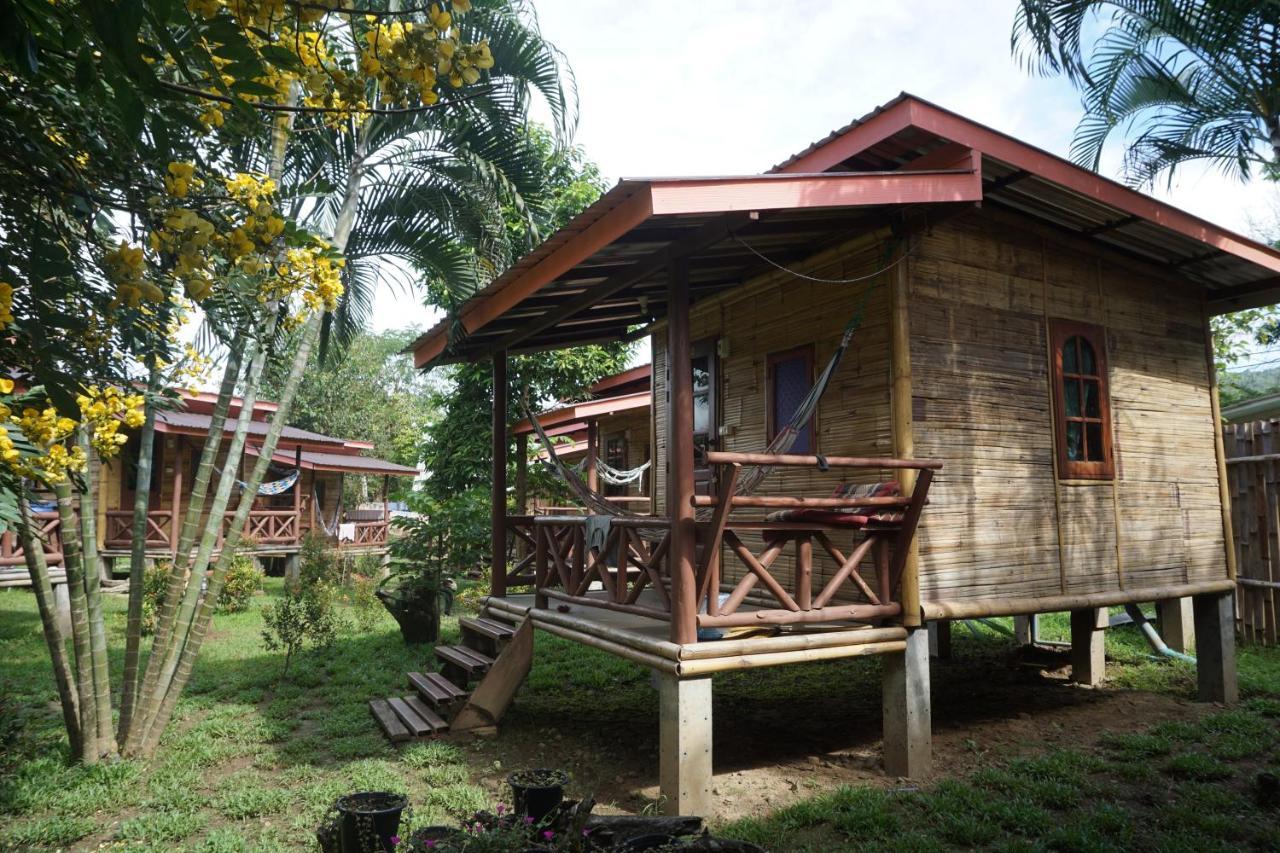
(1000, 523)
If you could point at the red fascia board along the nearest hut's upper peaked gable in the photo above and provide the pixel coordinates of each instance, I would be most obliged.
(912, 112)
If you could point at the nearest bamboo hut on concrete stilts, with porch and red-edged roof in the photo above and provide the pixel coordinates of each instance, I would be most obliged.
(1009, 366)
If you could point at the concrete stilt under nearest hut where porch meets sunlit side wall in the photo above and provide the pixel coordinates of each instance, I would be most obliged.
(908, 719)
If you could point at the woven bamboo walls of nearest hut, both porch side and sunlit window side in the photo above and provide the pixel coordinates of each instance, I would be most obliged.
(1000, 524)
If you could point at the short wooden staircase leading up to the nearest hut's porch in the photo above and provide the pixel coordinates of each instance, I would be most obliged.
(495, 655)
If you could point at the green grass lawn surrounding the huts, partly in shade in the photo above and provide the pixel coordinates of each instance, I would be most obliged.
(253, 763)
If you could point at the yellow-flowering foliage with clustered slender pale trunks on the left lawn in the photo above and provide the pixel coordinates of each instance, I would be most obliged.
(167, 172)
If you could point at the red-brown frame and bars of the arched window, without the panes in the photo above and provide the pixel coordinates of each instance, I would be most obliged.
(1068, 469)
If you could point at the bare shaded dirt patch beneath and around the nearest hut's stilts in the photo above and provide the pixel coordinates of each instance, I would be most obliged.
(774, 751)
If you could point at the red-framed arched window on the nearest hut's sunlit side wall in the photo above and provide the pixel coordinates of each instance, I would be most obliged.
(1082, 410)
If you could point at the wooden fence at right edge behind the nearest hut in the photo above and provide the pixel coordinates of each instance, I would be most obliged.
(1254, 473)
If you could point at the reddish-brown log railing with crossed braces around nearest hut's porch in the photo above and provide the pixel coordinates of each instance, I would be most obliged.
(634, 554)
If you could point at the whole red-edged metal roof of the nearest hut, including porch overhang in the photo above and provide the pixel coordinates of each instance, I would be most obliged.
(604, 276)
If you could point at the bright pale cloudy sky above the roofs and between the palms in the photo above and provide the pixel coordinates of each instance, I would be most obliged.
(720, 88)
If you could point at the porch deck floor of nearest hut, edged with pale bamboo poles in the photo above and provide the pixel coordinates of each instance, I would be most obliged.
(646, 641)
